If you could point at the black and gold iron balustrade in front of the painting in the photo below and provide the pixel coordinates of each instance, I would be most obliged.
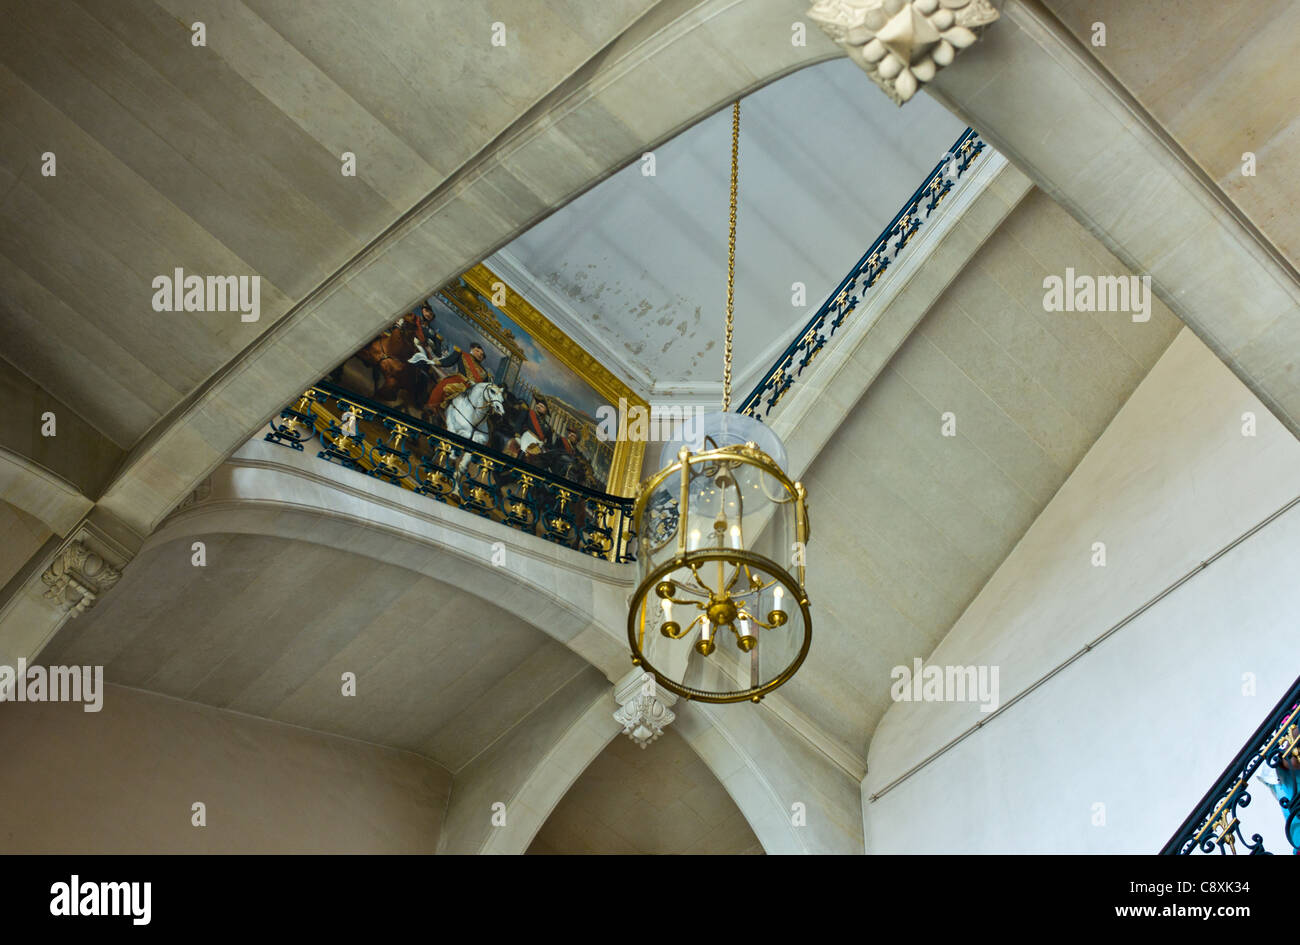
(378, 441)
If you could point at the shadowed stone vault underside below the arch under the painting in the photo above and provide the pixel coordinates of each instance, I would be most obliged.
(270, 627)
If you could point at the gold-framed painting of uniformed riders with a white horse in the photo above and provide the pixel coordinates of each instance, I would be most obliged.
(478, 361)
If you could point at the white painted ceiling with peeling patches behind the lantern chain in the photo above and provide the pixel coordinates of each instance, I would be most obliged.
(636, 268)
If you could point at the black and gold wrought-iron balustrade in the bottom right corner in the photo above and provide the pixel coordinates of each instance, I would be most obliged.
(1272, 753)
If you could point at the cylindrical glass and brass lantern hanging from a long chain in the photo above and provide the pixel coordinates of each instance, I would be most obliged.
(721, 613)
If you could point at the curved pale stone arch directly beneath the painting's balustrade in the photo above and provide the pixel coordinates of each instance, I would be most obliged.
(271, 491)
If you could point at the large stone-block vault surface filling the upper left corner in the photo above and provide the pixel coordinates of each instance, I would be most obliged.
(227, 159)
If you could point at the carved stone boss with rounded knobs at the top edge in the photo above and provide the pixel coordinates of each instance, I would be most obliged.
(903, 44)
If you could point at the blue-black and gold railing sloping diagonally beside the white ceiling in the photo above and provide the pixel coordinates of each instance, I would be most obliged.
(851, 293)
